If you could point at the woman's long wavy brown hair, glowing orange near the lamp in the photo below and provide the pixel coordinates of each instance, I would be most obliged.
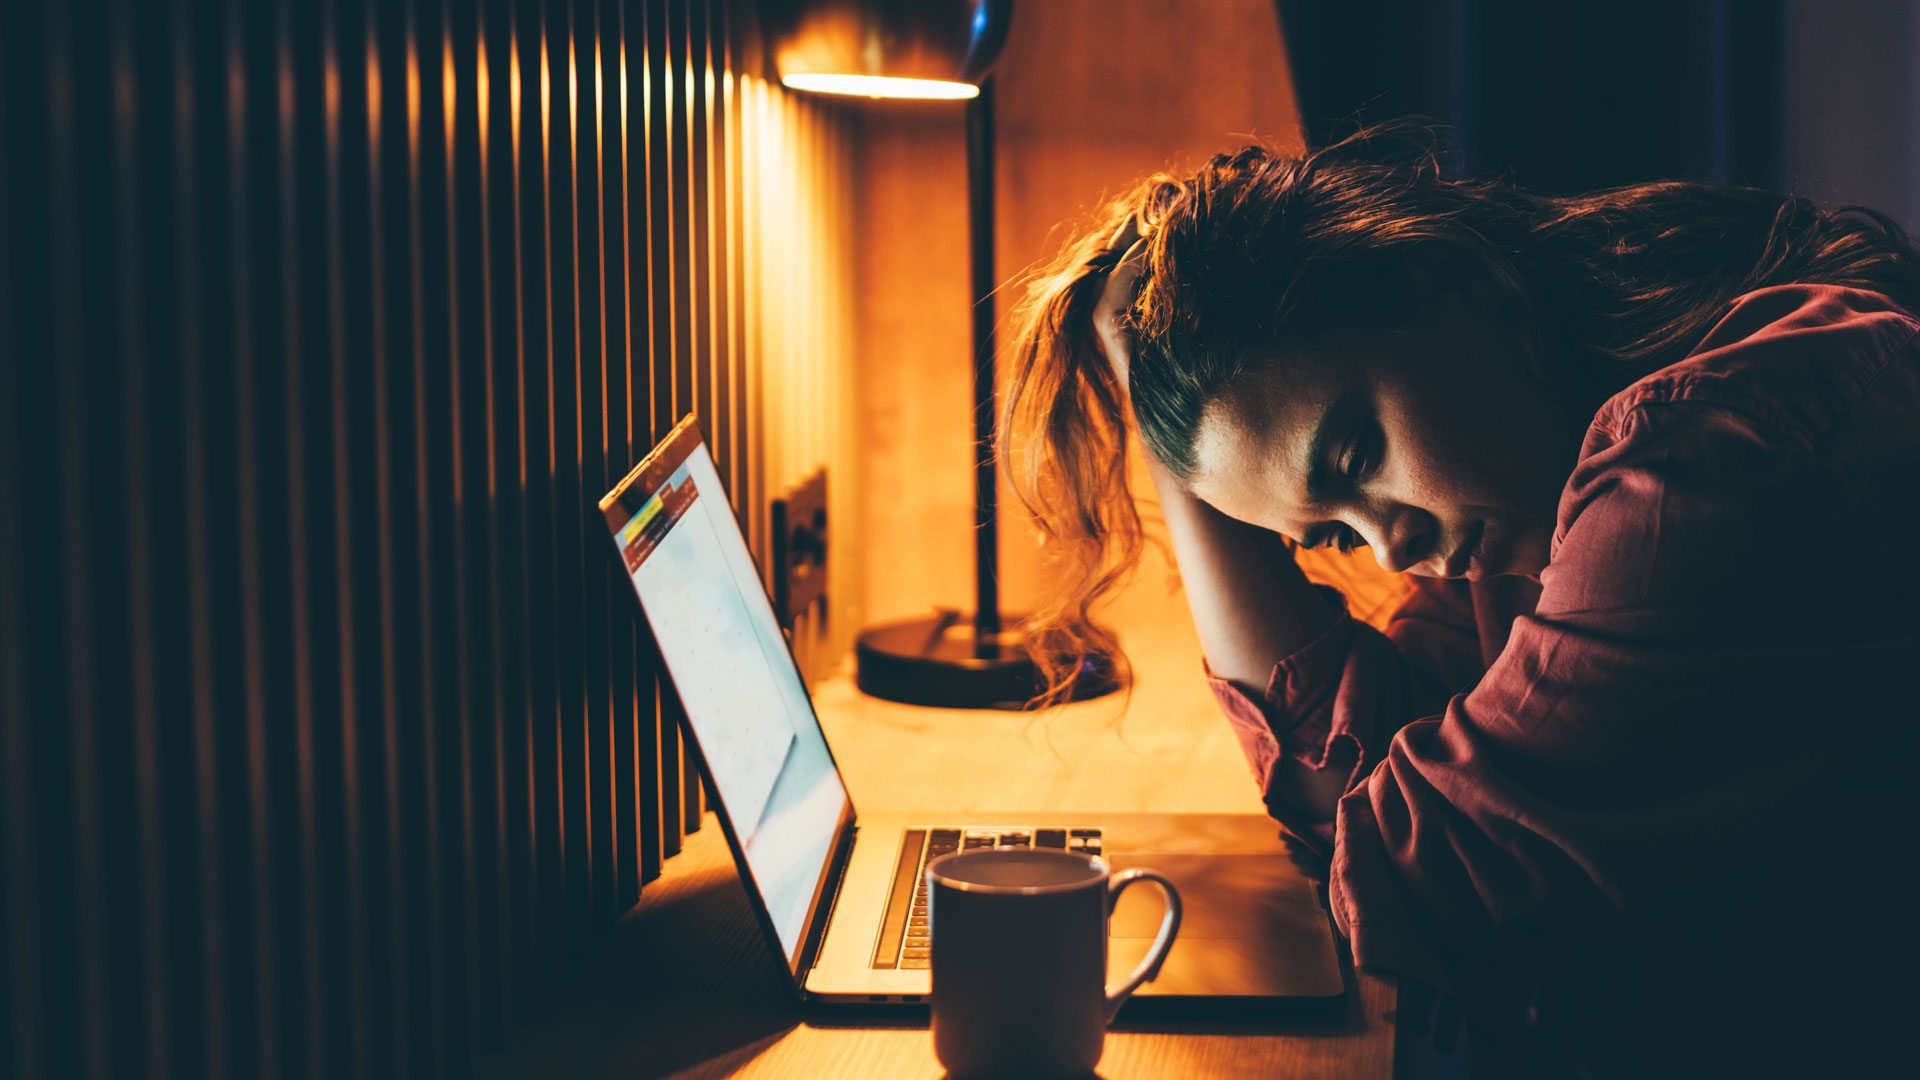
(1262, 249)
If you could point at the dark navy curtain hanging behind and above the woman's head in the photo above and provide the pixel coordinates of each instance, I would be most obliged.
(1564, 97)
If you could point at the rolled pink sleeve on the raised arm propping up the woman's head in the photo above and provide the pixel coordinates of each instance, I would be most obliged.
(1355, 687)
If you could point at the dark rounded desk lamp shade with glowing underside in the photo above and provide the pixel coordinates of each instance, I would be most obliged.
(886, 49)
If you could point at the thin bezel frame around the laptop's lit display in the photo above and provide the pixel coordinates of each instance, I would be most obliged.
(650, 476)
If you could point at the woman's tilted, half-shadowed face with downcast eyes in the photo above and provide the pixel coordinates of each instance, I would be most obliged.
(1429, 445)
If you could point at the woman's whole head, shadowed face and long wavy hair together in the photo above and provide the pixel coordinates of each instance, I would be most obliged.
(1353, 349)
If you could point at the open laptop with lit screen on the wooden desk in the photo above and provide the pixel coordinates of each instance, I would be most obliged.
(840, 896)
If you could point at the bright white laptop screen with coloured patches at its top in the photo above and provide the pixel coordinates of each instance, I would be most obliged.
(736, 677)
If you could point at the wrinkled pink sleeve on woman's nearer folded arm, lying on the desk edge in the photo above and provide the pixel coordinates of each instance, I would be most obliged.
(1660, 720)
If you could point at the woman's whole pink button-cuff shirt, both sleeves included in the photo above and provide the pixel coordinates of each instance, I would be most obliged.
(1698, 720)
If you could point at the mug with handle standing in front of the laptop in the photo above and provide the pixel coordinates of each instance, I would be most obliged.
(1020, 960)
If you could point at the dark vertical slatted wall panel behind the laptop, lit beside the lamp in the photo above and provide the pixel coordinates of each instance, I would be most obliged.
(329, 737)
